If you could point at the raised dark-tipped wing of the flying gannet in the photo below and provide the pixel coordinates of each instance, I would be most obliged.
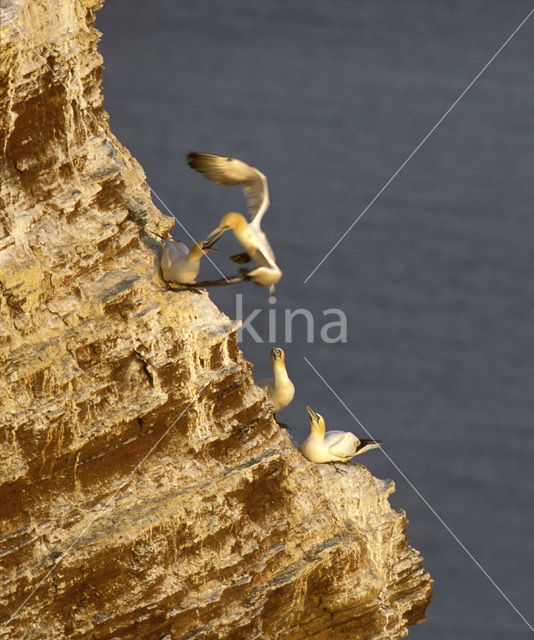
(232, 172)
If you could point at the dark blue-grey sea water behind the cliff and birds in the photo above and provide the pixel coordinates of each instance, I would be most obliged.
(328, 98)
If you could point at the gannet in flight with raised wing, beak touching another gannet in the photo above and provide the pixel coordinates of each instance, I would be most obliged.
(231, 172)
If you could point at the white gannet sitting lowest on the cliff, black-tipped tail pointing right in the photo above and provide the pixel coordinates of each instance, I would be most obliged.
(332, 446)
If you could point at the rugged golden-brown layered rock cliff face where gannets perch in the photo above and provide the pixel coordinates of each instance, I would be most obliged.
(145, 490)
